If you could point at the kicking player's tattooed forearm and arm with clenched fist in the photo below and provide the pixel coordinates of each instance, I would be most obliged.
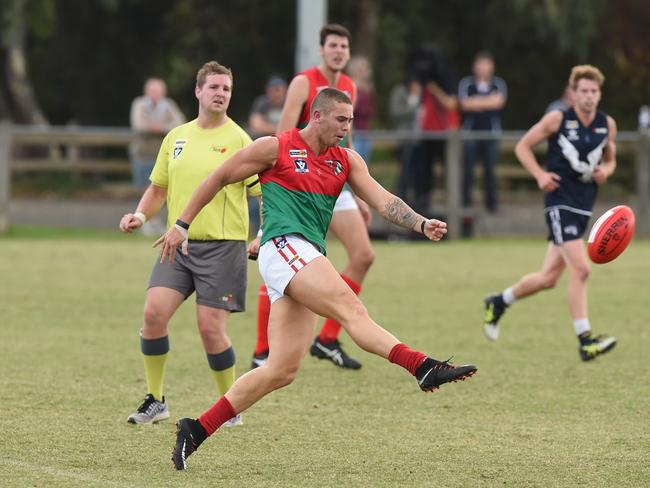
(390, 206)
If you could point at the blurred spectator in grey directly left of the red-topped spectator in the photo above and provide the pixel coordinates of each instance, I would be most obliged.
(404, 107)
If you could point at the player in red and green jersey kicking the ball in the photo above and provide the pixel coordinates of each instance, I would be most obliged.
(302, 173)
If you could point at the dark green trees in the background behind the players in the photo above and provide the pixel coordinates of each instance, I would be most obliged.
(89, 59)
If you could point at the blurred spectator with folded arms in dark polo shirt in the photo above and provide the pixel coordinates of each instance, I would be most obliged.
(482, 96)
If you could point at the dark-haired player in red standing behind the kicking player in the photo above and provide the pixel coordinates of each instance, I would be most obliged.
(351, 216)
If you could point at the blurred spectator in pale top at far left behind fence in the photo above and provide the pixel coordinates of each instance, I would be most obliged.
(151, 114)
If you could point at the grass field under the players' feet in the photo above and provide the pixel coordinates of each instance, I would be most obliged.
(534, 415)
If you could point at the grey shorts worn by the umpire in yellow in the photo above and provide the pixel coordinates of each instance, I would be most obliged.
(216, 270)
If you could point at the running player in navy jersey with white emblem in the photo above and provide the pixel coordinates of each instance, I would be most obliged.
(581, 157)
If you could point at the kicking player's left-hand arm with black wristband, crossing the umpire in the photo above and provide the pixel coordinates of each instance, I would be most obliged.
(251, 160)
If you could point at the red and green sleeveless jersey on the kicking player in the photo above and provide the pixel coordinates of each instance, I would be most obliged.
(299, 192)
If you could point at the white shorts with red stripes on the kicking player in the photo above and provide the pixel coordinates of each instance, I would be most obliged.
(280, 258)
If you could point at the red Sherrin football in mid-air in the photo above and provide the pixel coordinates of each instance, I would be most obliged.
(611, 234)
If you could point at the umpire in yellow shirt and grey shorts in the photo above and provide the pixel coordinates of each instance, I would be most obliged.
(215, 267)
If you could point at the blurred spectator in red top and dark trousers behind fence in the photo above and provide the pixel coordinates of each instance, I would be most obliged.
(439, 113)
